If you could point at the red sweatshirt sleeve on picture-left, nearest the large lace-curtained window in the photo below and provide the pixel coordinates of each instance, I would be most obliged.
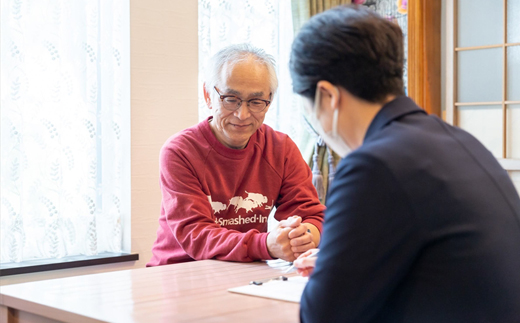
(190, 219)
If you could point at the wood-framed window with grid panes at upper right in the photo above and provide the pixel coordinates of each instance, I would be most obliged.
(483, 88)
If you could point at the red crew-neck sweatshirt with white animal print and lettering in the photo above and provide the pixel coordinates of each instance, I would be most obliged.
(216, 200)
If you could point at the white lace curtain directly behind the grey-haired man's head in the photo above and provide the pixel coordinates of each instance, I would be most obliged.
(265, 24)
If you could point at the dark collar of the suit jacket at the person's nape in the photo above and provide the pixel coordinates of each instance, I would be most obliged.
(394, 109)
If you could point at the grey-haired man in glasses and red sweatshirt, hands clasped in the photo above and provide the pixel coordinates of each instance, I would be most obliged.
(221, 178)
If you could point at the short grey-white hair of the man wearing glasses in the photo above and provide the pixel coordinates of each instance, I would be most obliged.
(238, 53)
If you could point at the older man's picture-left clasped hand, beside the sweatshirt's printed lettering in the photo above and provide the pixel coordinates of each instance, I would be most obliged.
(278, 241)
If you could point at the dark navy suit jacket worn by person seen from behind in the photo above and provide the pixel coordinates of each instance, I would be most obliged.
(422, 225)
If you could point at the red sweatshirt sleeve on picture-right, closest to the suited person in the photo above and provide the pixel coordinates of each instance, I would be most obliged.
(297, 195)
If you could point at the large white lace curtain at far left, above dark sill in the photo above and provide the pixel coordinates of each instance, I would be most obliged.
(64, 128)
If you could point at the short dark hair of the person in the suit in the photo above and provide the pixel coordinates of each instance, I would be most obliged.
(352, 47)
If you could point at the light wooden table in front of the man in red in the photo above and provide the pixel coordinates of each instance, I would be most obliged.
(187, 292)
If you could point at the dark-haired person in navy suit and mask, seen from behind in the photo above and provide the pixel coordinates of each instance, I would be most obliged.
(422, 223)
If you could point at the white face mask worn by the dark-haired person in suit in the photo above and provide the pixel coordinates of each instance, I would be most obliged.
(331, 138)
